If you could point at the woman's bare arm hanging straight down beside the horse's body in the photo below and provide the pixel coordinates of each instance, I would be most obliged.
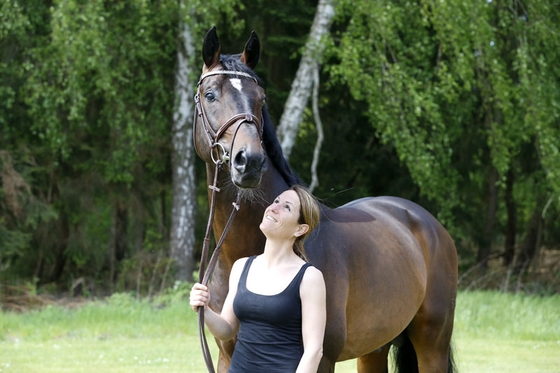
(314, 318)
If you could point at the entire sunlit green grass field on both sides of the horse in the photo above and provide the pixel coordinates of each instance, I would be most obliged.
(494, 333)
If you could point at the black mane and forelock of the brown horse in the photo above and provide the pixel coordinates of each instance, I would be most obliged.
(270, 140)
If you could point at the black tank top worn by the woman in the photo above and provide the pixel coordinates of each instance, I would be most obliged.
(269, 338)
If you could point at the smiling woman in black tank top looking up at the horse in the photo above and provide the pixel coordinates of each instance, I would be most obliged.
(276, 302)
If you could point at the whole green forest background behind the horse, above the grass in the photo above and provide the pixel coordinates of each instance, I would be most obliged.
(453, 104)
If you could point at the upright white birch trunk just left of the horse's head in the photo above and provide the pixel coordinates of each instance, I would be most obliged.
(183, 211)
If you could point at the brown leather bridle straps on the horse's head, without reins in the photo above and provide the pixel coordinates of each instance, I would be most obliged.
(237, 120)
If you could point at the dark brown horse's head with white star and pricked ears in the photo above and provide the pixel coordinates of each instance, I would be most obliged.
(228, 119)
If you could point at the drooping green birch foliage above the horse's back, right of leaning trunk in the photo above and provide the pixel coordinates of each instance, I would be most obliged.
(459, 89)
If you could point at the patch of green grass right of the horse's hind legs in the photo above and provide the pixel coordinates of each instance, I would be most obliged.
(497, 332)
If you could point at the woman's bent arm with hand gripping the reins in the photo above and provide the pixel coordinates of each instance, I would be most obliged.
(224, 325)
